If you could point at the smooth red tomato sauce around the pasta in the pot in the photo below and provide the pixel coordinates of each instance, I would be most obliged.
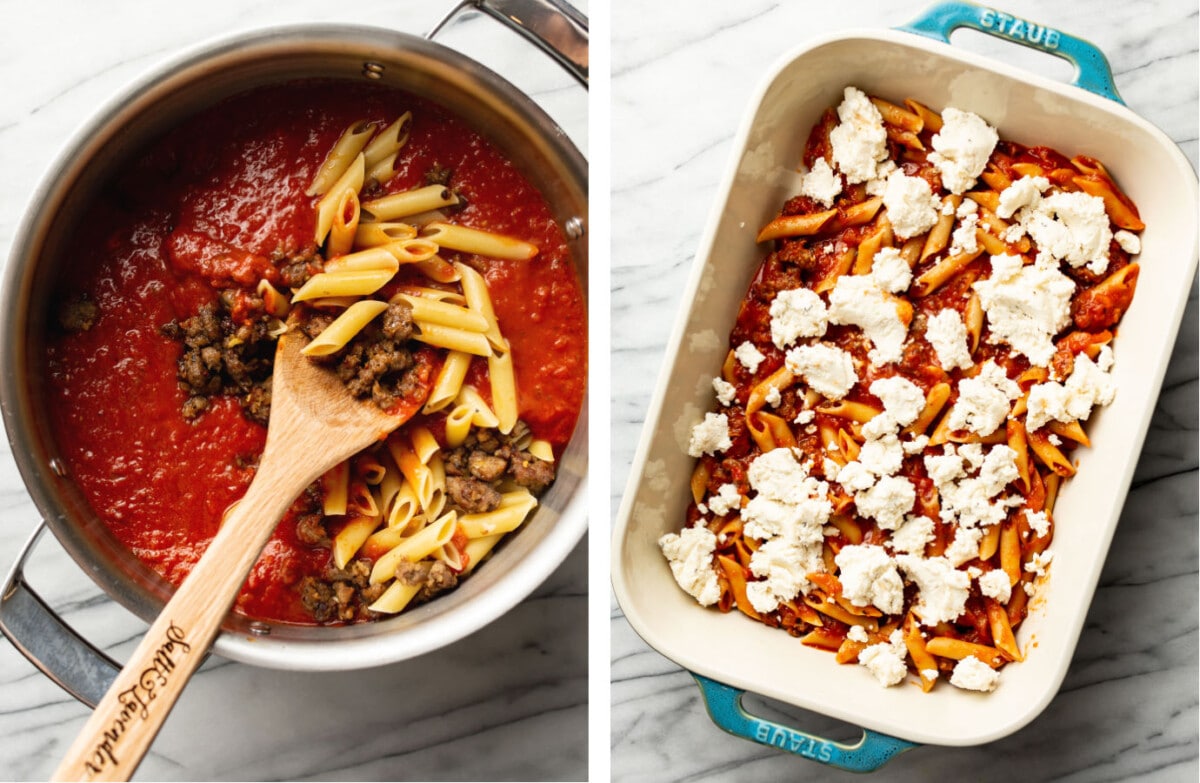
(220, 202)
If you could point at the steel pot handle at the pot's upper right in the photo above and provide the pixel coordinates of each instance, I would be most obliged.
(554, 27)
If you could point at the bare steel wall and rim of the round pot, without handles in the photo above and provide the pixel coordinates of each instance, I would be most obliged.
(488, 104)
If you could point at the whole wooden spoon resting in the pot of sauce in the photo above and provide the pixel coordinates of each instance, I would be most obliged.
(315, 425)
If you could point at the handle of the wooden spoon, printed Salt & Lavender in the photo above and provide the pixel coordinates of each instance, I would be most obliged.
(119, 733)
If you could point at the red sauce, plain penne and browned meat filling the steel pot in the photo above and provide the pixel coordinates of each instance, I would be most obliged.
(320, 207)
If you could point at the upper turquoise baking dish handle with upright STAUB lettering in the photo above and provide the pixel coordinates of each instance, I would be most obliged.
(1093, 71)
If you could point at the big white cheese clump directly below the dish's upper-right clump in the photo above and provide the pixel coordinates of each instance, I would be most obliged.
(1027, 307)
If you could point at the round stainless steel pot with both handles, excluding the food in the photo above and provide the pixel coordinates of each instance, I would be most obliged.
(501, 112)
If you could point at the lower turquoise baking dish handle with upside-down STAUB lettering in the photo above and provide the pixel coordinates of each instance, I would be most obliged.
(725, 709)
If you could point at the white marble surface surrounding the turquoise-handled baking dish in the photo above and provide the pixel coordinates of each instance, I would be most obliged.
(682, 75)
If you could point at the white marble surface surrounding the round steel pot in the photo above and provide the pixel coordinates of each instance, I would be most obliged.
(507, 703)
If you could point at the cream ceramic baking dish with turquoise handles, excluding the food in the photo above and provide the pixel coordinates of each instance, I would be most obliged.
(731, 655)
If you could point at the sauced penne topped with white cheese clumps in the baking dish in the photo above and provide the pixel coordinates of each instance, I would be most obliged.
(907, 386)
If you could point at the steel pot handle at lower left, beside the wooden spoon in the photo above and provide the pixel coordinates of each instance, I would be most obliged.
(64, 656)
